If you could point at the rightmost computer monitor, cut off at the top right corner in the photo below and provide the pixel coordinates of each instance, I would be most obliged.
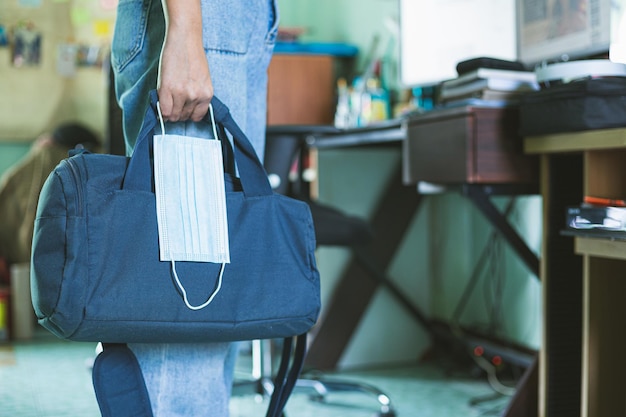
(552, 31)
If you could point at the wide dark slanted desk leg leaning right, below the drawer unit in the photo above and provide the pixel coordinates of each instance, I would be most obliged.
(356, 287)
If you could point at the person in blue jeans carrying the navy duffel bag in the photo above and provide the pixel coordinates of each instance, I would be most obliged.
(190, 50)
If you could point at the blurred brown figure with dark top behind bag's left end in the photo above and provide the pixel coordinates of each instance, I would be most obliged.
(21, 184)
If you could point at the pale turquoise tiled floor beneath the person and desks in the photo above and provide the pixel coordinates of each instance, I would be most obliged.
(46, 377)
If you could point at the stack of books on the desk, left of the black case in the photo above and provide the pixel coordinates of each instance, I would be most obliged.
(490, 85)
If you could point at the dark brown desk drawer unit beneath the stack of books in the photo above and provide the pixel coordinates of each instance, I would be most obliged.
(467, 145)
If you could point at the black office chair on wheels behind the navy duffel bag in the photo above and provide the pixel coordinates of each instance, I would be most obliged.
(285, 153)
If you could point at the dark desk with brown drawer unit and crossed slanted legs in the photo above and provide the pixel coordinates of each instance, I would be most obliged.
(490, 156)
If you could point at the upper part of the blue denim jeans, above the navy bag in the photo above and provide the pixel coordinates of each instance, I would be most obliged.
(239, 39)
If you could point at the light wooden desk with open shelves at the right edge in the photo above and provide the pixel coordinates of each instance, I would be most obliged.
(582, 360)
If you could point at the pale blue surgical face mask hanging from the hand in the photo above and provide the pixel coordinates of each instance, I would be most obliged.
(190, 200)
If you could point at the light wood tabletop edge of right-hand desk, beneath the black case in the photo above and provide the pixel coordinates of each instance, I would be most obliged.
(576, 141)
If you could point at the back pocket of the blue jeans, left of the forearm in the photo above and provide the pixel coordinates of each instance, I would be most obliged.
(130, 31)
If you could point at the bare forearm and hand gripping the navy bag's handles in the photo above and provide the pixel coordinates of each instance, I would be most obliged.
(185, 88)
